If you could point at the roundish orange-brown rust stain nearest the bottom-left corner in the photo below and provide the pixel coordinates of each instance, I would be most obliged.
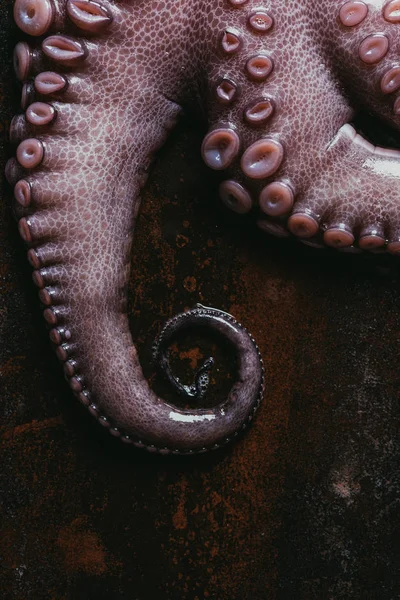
(82, 549)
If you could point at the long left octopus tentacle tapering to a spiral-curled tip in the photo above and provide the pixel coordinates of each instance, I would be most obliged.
(84, 146)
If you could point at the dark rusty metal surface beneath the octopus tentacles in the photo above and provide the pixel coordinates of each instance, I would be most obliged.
(305, 506)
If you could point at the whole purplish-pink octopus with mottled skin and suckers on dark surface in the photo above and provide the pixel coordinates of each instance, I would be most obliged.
(104, 83)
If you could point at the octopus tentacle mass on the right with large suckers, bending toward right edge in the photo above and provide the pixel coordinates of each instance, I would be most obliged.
(310, 175)
